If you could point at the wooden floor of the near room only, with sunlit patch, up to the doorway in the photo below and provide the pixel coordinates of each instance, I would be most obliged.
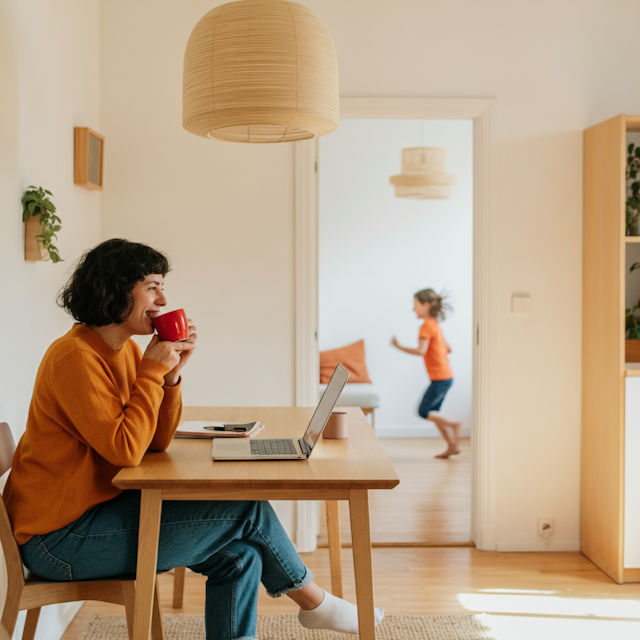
(533, 596)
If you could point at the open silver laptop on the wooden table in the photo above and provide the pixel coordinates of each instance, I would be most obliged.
(286, 448)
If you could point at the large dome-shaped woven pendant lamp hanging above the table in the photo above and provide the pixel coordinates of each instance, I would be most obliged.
(260, 71)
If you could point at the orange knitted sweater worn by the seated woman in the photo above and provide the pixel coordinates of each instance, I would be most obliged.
(93, 411)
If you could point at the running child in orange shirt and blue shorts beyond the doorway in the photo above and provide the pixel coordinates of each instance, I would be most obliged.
(430, 307)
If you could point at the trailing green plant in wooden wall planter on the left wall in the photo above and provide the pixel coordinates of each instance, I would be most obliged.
(38, 214)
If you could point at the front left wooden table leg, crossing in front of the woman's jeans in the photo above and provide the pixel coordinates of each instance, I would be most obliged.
(150, 510)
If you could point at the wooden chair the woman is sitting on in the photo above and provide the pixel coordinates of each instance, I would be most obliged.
(28, 592)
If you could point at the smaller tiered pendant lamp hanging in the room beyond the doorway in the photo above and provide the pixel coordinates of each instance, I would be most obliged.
(423, 174)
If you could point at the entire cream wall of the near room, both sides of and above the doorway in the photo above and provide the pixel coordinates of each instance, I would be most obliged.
(554, 68)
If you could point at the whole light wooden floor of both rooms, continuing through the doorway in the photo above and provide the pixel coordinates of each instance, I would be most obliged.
(522, 596)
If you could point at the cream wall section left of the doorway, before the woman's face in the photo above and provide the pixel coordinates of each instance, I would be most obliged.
(223, 212)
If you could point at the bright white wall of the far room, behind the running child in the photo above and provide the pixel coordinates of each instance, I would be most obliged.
(377, 250)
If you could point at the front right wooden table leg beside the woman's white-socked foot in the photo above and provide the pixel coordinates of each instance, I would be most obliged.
(361, 538)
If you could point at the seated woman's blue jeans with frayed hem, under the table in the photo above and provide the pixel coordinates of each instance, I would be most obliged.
(236, 545)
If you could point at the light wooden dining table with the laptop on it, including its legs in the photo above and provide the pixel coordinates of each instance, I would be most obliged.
(343, 469)
